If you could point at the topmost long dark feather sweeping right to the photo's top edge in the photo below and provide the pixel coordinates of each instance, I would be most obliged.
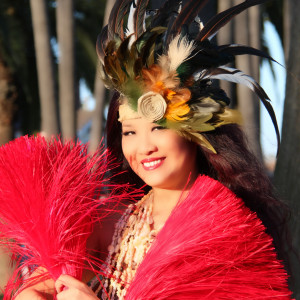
(221, 19)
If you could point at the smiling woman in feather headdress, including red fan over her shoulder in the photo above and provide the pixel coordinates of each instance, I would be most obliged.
(190, 237)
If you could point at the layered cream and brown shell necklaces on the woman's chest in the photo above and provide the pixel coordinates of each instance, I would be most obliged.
(133, 236)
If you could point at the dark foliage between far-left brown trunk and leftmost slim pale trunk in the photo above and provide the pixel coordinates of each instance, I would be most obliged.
(17, 48)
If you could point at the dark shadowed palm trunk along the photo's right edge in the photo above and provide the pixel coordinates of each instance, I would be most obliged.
(287, 172)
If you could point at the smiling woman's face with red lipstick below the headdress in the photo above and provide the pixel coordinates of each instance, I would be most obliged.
(159, 156)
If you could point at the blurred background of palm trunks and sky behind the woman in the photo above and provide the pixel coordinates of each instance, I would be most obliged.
(49, 83)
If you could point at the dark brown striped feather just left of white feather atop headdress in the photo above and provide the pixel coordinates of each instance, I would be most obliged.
(115, 22)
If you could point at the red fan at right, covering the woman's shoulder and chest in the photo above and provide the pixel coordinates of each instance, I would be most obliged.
(211, 247)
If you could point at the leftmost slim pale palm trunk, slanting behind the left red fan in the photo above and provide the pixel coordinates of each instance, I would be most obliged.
(49, 119)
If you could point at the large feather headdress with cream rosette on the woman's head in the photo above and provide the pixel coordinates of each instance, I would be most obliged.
(163, 69)
